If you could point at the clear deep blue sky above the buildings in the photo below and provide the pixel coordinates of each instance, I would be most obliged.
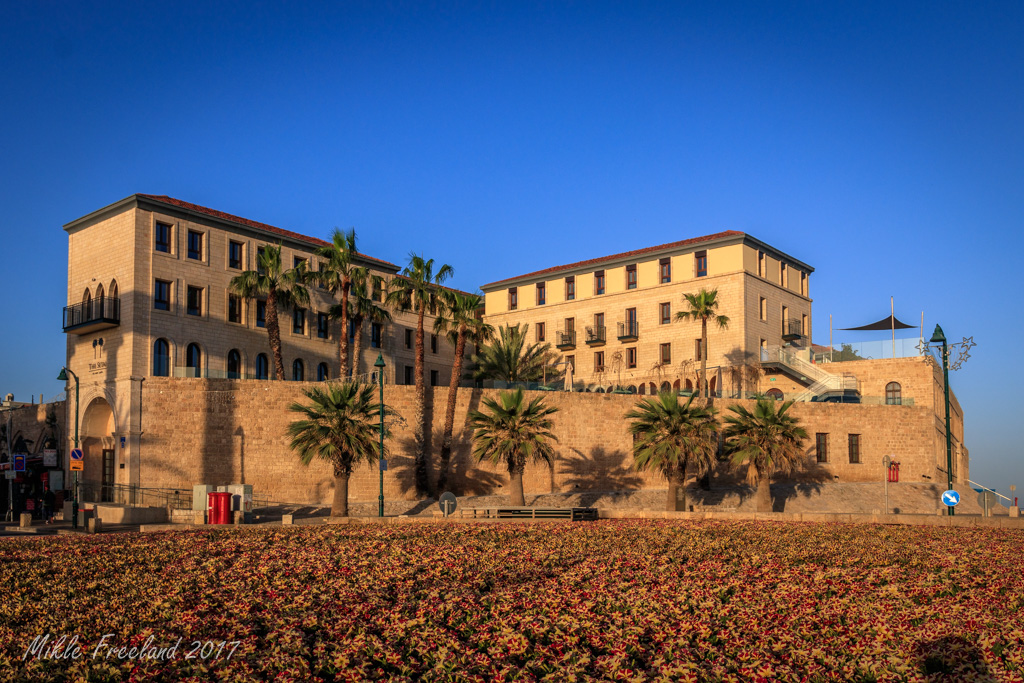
(881, 143)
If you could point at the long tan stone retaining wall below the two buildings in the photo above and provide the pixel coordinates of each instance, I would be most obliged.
(229, 432)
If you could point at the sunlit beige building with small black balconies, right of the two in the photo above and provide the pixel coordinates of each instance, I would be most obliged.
(614, 319)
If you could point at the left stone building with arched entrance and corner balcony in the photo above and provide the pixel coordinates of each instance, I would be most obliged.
(149, 296)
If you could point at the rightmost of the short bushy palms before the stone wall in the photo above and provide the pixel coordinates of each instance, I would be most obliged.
(772, 441)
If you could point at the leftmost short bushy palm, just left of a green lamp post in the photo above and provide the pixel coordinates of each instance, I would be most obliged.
(340, 426)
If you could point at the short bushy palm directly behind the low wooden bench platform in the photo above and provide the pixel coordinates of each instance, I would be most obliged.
(513, 433)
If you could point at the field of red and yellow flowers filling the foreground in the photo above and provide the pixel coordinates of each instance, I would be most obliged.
(612, 601)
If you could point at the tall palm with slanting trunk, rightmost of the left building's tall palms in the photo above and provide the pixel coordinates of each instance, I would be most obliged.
(461, 323)
